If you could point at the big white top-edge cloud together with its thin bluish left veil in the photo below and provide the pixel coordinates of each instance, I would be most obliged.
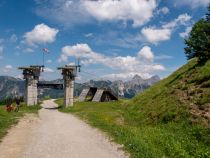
(64, 11)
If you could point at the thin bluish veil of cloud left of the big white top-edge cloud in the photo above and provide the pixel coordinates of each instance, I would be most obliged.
(64, 12)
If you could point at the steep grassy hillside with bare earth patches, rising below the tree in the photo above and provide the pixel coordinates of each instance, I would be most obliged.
(184, 94)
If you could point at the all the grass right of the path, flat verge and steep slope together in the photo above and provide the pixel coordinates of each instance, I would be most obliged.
(169, 119)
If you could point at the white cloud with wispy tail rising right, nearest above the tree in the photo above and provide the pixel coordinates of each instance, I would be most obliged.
(156, 35)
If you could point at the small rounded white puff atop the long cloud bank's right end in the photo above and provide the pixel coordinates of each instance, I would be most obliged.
(146, 53)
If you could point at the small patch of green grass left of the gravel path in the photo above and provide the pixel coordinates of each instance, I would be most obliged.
(9, 119)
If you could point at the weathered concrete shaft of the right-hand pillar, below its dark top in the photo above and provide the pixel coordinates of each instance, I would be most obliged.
(68, 92)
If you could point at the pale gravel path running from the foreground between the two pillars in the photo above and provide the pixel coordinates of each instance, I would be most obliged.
(57, 135)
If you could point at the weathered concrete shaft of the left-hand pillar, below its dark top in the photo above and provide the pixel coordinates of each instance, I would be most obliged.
(31, 91)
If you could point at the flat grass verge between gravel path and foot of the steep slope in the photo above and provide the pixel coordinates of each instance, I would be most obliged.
(144, 141)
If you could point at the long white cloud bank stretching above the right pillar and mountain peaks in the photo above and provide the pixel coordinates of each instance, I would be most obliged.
(142, 63)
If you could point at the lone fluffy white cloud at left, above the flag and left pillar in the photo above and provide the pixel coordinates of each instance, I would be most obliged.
(41, 34)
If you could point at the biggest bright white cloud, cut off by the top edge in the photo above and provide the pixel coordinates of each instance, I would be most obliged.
(121, 10)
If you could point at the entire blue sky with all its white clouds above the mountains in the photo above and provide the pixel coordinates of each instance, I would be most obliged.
(114, 39)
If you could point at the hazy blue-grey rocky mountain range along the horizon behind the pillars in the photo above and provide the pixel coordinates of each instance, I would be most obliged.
(10, 85)
